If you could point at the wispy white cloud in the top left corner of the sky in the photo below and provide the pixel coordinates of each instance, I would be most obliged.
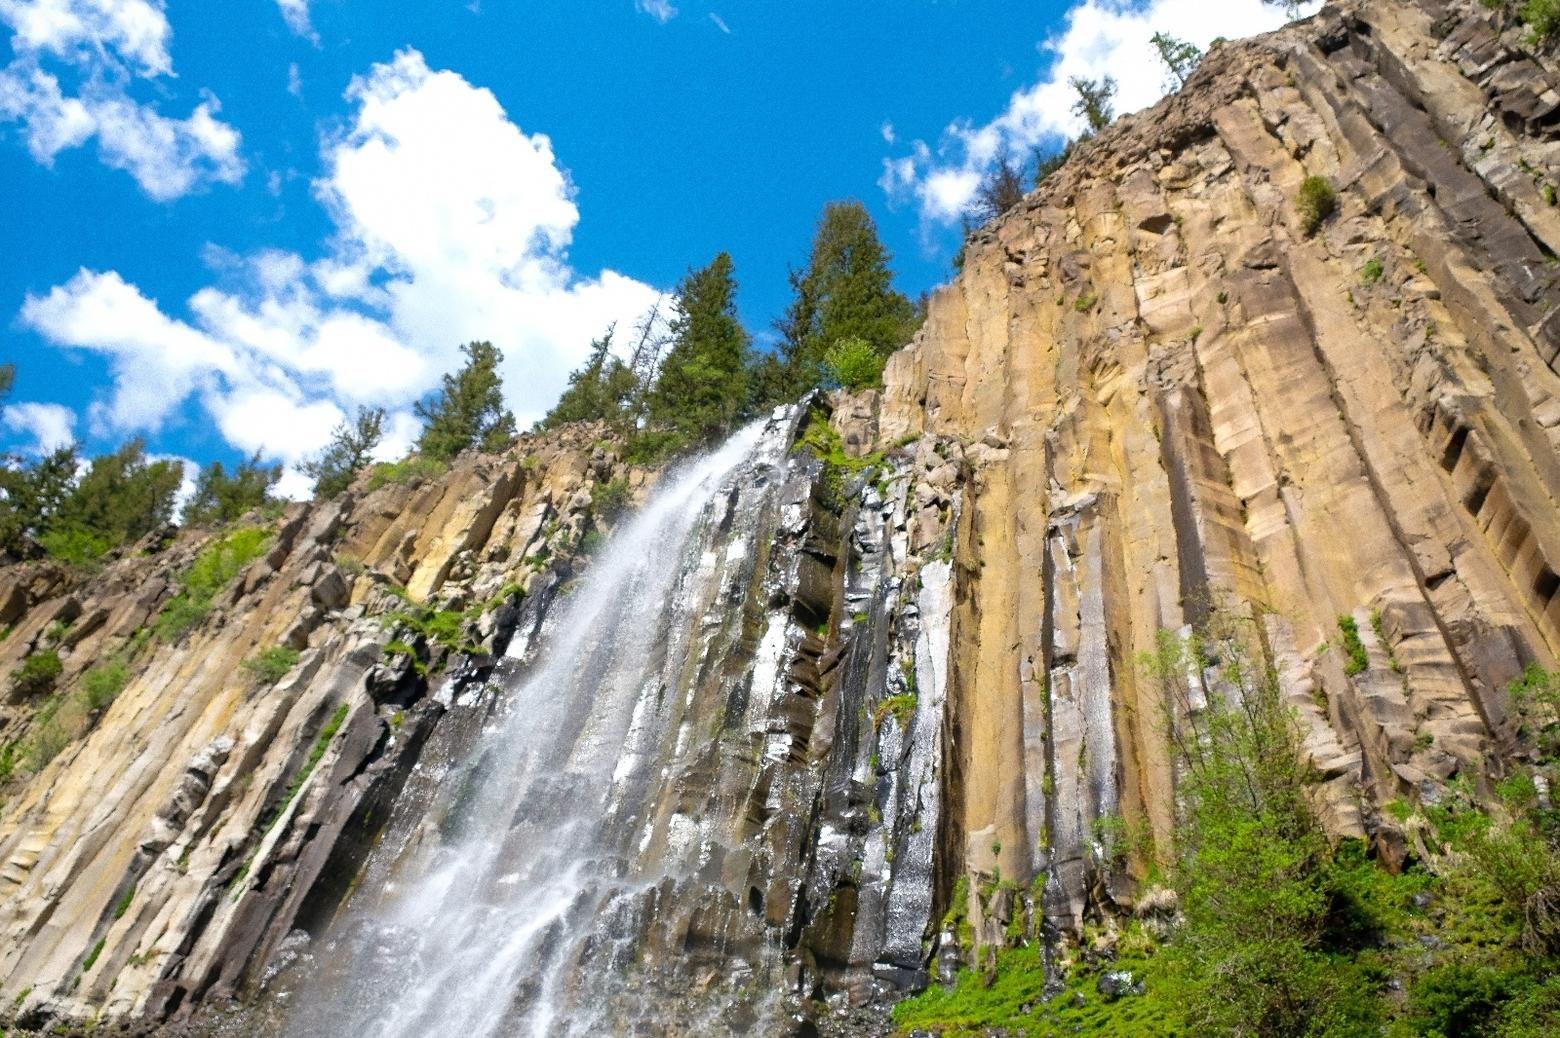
(107, 46)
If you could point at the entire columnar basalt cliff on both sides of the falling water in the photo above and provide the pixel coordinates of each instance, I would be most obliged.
(902, 664)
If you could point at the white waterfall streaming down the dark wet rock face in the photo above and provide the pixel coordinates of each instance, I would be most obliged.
(509, 890)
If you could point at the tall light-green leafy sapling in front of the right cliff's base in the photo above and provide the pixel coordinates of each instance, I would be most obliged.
(1253, 866)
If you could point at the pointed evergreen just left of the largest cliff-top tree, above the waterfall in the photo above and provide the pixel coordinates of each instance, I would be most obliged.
(703, 388)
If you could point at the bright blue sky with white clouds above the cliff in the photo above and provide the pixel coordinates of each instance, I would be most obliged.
(230, 224)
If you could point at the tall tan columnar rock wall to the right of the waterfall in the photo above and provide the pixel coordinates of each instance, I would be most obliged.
(1175, 400)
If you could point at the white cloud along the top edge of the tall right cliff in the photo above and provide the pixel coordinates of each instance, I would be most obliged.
(1102, 38)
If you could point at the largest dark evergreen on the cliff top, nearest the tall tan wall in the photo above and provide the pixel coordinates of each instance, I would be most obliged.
(845, 293)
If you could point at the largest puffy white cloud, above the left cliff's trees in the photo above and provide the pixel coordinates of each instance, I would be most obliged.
(452, 224)
